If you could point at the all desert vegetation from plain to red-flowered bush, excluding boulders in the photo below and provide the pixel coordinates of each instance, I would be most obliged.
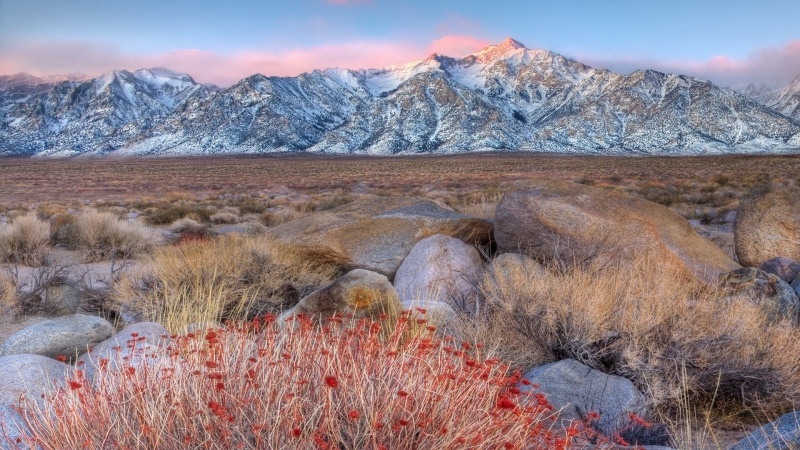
(197, 257)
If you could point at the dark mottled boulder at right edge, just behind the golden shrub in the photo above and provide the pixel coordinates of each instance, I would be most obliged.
(775, 296)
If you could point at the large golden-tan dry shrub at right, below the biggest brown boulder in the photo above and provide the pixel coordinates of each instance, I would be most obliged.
(646, 321)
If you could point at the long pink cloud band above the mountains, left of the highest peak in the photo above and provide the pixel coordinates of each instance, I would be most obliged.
(226, 69)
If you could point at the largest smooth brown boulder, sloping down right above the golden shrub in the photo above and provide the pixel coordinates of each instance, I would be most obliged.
(572, 223)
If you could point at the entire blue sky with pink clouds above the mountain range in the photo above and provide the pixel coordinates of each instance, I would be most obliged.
(728, 42)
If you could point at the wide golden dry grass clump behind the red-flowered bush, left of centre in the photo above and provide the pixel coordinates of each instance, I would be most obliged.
(230, 277)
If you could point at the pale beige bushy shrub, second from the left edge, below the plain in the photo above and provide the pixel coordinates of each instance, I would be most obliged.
(103, 236)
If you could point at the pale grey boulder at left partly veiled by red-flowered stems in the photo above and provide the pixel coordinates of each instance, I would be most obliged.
(132, 346)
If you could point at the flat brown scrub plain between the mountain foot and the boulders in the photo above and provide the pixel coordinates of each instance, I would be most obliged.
(172, 188)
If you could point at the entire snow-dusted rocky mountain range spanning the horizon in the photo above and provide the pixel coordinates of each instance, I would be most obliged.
(503, 97)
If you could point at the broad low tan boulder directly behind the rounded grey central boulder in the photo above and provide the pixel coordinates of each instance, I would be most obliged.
(377, 234)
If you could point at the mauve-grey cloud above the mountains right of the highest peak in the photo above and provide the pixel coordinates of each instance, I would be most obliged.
(774, 66)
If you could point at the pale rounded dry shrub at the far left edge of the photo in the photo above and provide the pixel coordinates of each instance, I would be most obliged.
(24, 241)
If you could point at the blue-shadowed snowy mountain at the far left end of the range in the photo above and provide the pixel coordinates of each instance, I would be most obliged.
(94, 116)
